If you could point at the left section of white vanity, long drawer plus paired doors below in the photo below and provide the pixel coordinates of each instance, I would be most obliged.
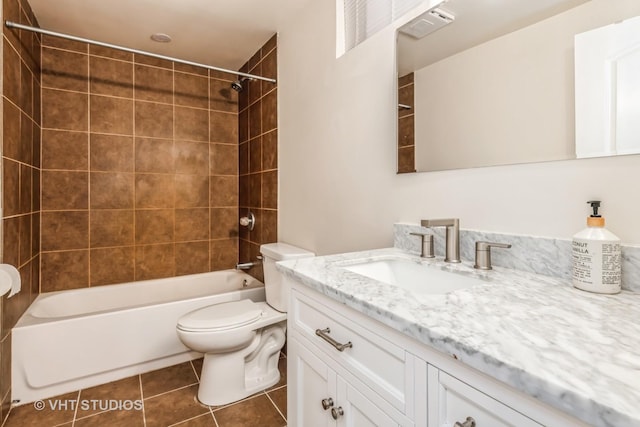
(366, 384)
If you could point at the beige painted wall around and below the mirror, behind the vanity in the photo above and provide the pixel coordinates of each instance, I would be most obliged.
(338, 186)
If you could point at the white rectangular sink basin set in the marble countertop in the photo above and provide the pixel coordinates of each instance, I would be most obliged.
(413, 276)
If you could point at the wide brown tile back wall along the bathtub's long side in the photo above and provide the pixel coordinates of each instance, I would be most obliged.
(139, 168)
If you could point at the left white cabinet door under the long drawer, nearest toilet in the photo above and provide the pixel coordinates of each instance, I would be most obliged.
(310, 381)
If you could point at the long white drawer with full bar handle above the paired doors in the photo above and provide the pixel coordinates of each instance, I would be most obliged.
(375, 361)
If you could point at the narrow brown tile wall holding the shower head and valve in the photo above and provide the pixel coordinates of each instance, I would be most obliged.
(258, 154)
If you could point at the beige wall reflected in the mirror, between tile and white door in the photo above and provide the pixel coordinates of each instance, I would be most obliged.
(512, 93)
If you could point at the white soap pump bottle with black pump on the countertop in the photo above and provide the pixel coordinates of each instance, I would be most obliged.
(596, 256)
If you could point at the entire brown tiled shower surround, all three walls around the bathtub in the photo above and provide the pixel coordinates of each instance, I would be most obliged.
(119, 168)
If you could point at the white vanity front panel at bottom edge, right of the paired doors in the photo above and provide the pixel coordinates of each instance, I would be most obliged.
(457, 400)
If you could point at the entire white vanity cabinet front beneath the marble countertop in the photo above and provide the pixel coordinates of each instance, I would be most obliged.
(383, 378)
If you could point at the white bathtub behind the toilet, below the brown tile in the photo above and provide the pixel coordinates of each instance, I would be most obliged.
(75, 339)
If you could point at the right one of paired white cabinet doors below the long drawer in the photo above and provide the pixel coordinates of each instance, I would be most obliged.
(358, 411)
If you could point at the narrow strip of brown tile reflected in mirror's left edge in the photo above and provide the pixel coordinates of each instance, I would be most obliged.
(406, 133)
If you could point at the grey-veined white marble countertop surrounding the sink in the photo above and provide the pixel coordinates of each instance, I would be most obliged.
(576, 351)
